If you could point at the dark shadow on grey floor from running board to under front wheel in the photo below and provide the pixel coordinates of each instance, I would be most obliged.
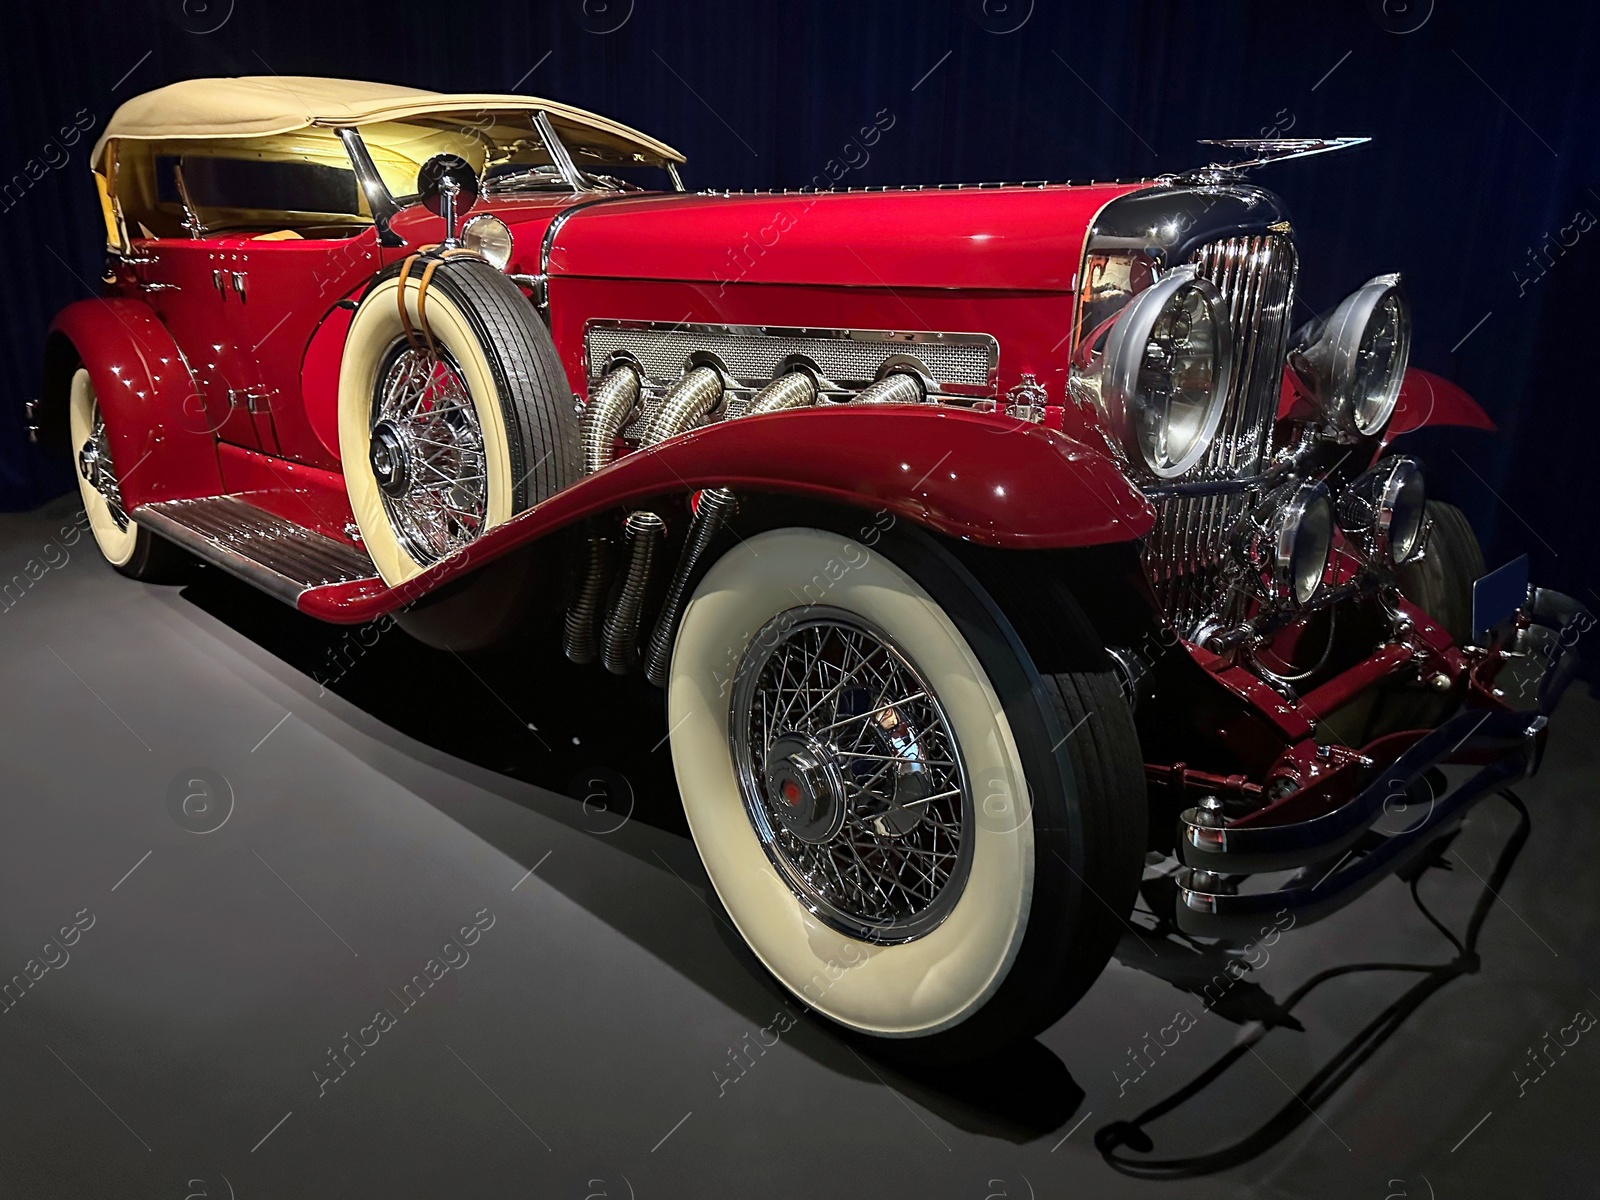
(522, 711)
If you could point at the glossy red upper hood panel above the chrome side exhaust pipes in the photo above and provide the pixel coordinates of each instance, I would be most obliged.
(1007, 239)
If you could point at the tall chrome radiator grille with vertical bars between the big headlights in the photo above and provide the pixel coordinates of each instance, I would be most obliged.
(1183, 554)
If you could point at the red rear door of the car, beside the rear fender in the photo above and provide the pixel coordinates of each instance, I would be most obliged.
(193, 287)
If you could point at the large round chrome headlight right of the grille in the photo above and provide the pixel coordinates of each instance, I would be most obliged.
(1354, 361)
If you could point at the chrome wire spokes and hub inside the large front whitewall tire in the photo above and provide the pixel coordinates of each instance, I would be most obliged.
(850, 775)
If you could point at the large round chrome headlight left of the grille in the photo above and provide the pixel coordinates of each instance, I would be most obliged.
(1169, 364)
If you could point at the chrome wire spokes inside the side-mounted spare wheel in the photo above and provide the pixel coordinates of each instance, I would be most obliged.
(426, 454)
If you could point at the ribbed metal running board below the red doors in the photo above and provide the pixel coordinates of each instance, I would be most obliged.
(278, 556)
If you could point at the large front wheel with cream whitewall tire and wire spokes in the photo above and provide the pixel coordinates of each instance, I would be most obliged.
(916, 831)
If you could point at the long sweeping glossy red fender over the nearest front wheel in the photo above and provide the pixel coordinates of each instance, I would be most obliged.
(964, 474)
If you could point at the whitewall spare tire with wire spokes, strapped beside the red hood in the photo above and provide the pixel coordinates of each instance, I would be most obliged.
(454, 417)
